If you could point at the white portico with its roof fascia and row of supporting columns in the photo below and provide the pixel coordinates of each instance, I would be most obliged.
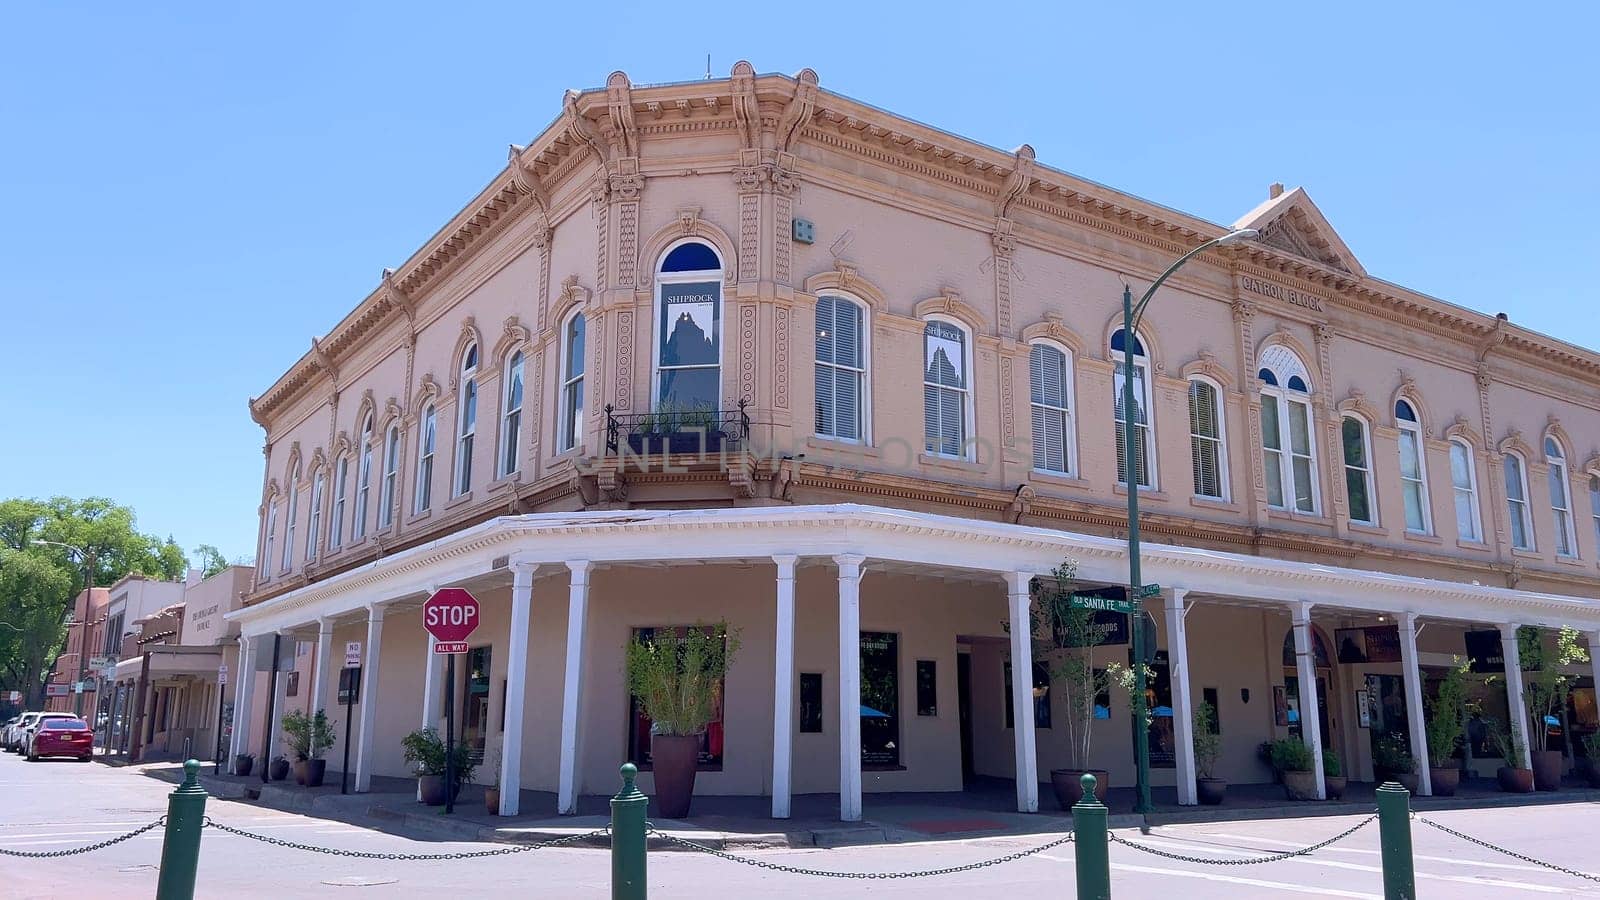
(849, 540)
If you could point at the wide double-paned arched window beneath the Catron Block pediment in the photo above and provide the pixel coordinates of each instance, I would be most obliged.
(1290, 457)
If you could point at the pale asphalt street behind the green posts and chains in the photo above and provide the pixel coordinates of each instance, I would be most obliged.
(57, 806)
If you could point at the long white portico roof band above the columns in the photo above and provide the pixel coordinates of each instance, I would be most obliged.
(895, 536)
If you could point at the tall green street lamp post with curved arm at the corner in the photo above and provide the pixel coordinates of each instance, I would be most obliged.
(1132, 313)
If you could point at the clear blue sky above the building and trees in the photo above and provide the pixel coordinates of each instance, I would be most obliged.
(190, 193)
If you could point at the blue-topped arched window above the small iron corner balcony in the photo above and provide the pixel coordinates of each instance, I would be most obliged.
(689, 329)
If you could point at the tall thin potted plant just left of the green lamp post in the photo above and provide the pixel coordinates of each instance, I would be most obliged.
(1065, 640)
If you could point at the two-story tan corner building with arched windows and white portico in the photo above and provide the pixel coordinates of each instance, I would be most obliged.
(900, 350)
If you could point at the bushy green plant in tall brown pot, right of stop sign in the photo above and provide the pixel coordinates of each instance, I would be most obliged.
(678, 677)
